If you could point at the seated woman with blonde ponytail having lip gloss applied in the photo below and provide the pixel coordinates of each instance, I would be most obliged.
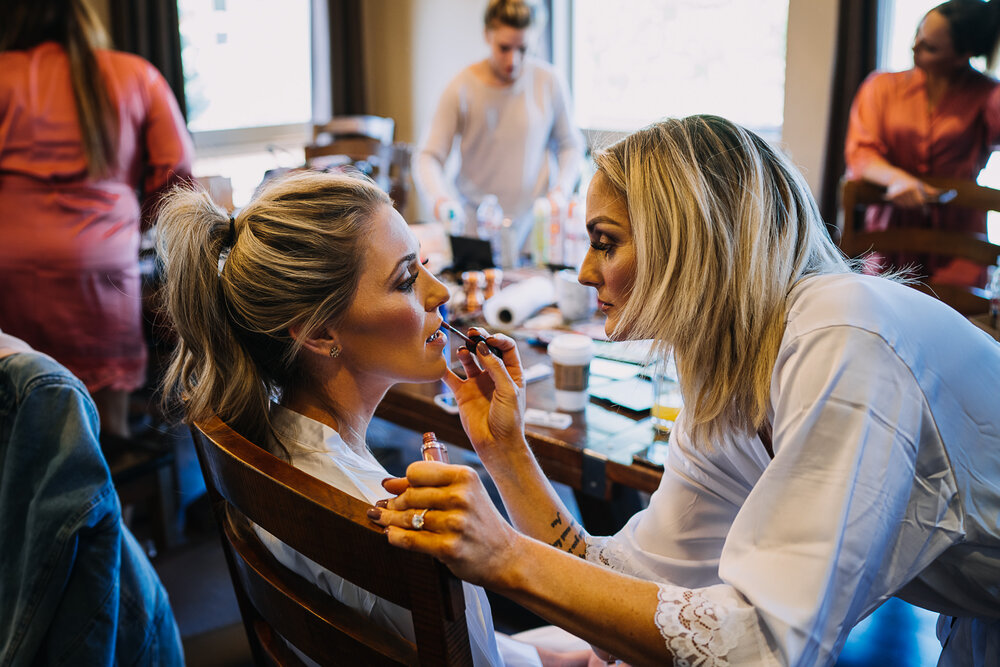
(320, 306)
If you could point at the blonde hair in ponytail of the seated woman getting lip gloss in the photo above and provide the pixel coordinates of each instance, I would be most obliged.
(291, 258)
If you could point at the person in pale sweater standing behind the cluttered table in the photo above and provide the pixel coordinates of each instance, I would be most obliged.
(511, 113)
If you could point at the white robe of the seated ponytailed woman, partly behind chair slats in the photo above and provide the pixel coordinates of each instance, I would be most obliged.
(320, 451)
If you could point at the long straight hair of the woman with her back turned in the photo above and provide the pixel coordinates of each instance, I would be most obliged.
(75, 26)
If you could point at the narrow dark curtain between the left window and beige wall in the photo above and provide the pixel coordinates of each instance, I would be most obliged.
(347, 78)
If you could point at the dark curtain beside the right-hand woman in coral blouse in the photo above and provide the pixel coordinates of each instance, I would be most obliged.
(856, 57)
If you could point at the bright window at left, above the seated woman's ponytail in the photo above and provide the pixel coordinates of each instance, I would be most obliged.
(248, 71)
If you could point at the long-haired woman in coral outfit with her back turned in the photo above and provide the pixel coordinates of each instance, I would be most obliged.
(88, 138)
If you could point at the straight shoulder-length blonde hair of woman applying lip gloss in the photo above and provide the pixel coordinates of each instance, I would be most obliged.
(723, 227)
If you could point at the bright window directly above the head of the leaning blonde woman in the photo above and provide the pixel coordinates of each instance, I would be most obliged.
(658, 59)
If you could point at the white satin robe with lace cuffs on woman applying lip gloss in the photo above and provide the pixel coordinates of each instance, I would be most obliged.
(885, 481)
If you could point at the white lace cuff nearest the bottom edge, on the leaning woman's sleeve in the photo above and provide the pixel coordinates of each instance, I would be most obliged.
(699, 626)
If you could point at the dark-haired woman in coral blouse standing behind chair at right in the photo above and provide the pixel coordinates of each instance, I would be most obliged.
(941, 118)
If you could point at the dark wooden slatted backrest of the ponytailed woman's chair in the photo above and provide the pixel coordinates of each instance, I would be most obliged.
(330, 527)
